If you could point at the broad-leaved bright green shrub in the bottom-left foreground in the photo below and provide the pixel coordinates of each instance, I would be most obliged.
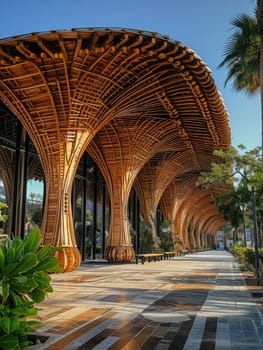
(24, 280)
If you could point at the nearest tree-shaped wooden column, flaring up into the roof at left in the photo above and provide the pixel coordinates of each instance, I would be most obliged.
(46, 81)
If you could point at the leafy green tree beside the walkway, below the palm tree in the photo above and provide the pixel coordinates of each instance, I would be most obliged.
(239, 167)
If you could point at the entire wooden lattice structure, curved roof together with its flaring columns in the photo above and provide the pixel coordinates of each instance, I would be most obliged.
(143, 106)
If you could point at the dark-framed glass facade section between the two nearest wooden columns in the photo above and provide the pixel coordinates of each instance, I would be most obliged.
(91, 209)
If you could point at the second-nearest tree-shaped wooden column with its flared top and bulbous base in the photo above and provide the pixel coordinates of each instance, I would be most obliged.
(121, 149)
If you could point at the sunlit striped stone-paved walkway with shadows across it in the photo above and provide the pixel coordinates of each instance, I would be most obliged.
(196, 302)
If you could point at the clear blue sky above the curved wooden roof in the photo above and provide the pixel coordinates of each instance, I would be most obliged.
(202, 25)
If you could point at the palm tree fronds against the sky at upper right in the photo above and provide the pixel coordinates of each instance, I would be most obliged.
(243, 52)
